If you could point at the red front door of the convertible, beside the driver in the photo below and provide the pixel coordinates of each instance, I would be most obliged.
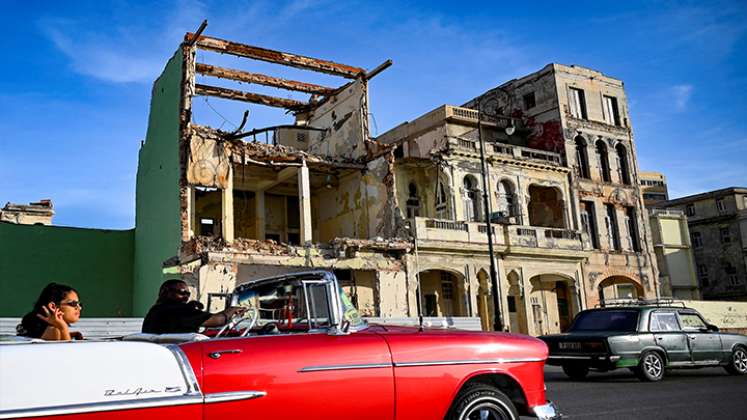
(316, 373)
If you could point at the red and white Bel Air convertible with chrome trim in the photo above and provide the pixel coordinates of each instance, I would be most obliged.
(300, 351)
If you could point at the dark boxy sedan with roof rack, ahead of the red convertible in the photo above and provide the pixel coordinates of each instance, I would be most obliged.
(647, 338)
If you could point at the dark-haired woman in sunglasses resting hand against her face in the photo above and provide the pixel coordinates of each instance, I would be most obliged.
(58, 306)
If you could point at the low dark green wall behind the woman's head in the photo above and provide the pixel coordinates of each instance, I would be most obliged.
(98, 263)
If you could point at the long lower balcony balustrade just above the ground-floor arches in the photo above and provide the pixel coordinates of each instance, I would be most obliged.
(504, 235)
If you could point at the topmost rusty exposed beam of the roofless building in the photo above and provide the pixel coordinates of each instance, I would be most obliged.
(272, 56)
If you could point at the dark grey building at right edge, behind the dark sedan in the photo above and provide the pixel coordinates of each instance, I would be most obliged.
(717, 221)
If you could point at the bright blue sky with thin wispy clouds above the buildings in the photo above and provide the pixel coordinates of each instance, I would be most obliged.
(75, 84)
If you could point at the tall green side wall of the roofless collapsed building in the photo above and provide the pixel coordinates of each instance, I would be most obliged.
(157, 218)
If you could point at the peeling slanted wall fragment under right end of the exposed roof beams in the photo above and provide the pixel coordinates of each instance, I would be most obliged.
(345, 115)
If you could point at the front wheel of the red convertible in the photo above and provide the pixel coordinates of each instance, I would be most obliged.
(482, 402)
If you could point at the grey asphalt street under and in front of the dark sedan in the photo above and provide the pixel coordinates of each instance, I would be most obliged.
(708, 393)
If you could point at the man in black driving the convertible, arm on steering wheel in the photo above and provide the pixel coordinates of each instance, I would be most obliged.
(173, 313)
